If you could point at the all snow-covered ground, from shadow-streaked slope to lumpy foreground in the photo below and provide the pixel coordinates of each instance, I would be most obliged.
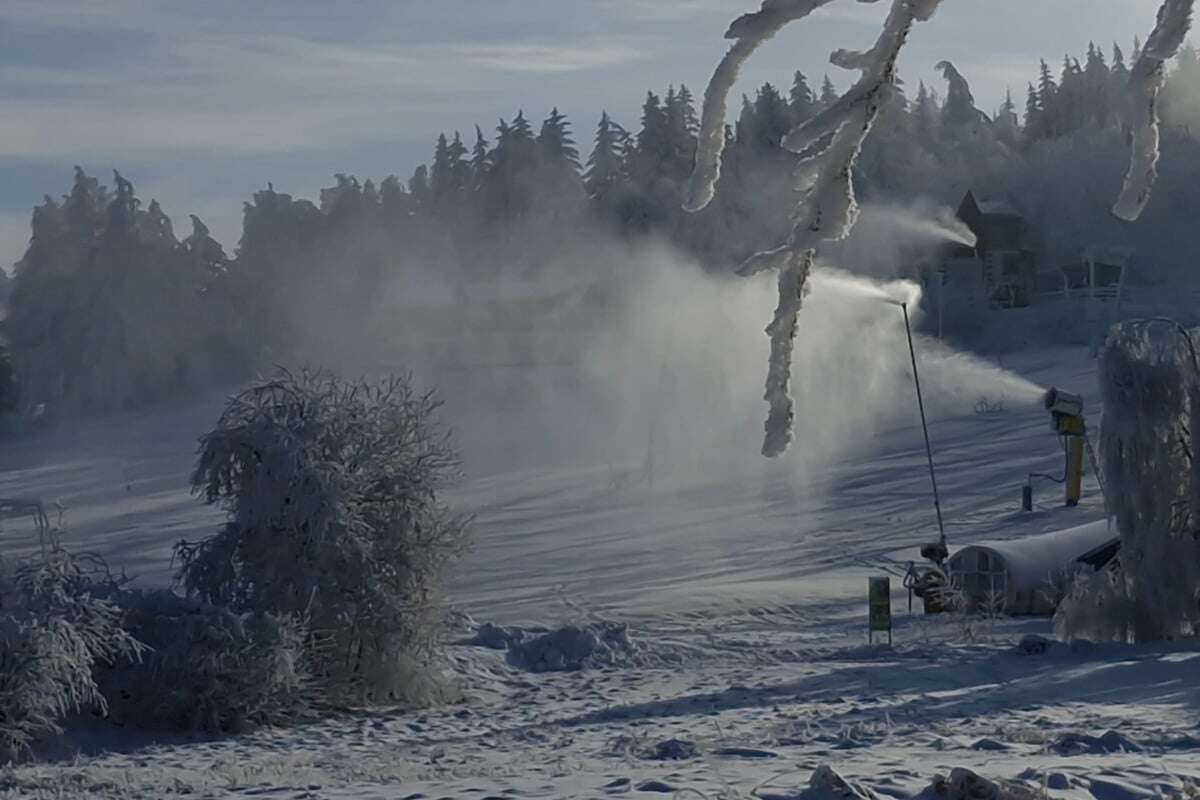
(745, 593)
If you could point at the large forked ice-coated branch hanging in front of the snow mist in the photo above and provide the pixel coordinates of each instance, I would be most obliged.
(829, 209)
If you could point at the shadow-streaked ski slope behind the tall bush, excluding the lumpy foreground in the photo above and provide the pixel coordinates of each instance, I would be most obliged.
(616, 537)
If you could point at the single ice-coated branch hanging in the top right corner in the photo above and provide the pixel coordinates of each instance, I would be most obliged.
(1145, 83)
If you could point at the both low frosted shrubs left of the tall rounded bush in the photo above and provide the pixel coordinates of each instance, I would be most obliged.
(73, 640)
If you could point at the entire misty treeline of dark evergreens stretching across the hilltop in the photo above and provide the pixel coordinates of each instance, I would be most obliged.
(110, 309)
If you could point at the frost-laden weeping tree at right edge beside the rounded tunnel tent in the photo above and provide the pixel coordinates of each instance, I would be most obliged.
(1150, 381)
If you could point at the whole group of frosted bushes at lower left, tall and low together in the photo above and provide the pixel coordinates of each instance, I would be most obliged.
(322, 587)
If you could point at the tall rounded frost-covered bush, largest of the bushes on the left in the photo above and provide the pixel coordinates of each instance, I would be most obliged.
(334, 519)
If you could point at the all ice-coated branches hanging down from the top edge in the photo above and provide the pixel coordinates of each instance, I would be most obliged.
(824, 179)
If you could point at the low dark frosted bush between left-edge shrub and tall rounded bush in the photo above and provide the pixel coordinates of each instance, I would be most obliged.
(207, 669)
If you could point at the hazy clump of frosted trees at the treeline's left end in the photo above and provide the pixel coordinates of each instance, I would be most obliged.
(107, 310)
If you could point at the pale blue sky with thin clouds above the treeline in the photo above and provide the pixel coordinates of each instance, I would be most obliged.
(202, 103)
